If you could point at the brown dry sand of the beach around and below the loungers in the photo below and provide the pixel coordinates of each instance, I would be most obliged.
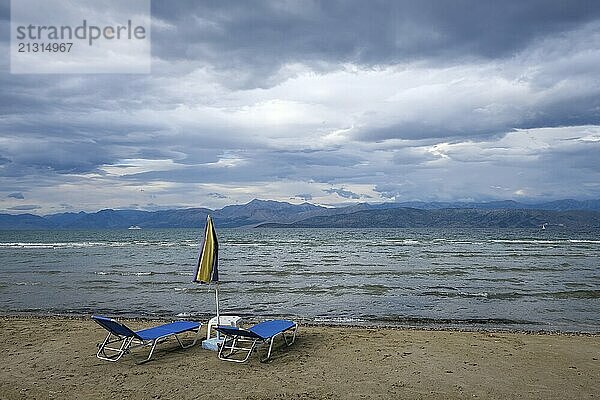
(55, 358)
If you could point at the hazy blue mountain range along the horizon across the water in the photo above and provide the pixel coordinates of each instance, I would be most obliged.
(569, 214)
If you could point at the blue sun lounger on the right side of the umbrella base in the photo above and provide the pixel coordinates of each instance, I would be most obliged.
(238, 340)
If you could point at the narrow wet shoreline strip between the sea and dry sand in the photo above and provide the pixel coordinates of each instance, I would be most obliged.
(351, 323)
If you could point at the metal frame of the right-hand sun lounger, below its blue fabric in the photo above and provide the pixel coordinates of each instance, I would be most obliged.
(238, 342)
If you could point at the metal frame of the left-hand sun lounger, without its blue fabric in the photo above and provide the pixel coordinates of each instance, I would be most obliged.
(131, 340)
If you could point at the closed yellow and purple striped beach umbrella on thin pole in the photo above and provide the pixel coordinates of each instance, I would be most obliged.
(208, 260)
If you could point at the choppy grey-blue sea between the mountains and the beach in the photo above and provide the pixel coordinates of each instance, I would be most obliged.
(488, 279)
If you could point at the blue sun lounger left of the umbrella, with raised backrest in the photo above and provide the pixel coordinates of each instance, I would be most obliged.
(128, 339)
